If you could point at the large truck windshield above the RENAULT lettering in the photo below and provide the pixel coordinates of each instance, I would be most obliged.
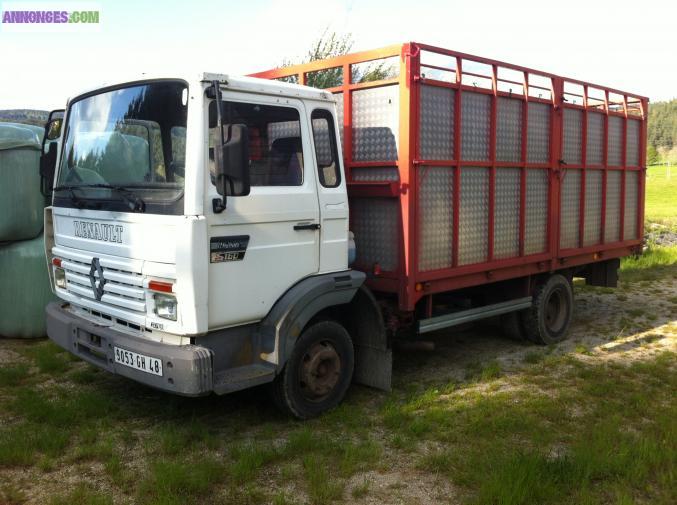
(131, 137)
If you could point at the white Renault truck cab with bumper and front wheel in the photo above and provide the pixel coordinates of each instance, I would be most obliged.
(196, 262)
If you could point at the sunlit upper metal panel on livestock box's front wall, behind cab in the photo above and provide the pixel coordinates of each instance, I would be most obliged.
(376, 123)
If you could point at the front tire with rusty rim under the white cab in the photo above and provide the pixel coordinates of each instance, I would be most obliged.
(318, 373)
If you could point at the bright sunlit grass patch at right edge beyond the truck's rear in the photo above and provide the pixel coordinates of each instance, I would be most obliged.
(661, 195)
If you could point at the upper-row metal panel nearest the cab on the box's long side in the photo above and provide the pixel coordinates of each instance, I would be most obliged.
(436, 135)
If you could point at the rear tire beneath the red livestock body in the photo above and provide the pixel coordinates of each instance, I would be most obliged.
(548, 319)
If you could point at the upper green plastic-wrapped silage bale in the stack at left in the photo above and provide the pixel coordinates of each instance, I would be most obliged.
(21, 203)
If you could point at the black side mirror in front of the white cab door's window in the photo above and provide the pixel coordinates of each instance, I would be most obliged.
(231, 160)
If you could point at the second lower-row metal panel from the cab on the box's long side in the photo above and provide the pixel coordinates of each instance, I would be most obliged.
(474, 216)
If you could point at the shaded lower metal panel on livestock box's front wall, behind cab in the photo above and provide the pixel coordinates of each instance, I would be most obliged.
(375, 224)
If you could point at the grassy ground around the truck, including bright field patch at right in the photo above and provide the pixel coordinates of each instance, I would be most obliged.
(479, 421)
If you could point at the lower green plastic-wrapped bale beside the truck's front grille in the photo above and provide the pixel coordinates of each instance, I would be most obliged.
(25, 289)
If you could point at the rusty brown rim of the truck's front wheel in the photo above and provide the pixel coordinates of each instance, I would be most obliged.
(320, 371)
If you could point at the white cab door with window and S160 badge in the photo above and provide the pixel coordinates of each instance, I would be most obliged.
(267, 241)
